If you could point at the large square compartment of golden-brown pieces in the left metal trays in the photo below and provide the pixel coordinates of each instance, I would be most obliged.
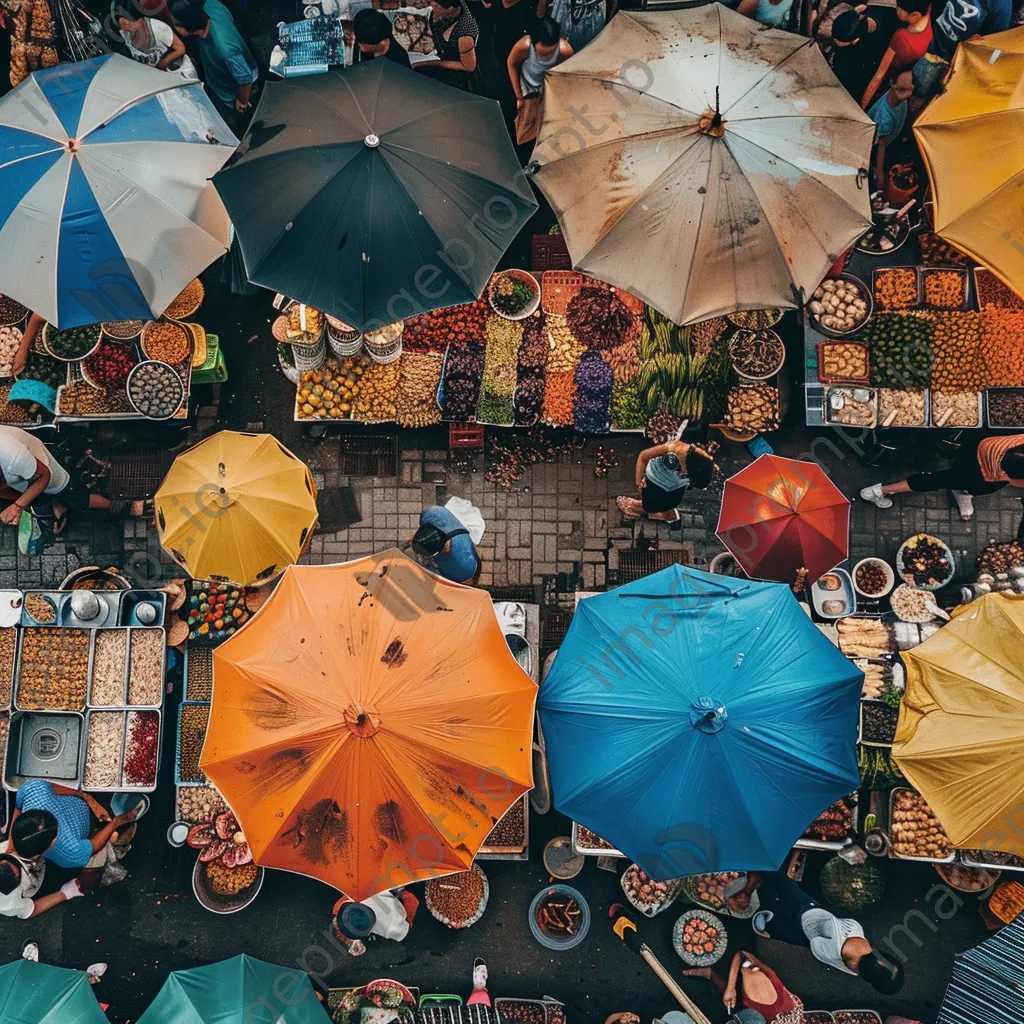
(55, 669)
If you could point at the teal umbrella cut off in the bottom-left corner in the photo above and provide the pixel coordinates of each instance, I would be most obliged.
(39, 994)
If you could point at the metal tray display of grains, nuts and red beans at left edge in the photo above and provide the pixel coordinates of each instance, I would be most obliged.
(82, 690)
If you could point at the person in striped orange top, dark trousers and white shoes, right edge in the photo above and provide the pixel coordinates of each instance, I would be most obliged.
(980, 467)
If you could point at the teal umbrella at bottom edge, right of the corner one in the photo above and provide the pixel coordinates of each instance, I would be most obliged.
(240, 991)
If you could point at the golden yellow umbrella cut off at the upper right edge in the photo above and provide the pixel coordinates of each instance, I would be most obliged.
(972, 139)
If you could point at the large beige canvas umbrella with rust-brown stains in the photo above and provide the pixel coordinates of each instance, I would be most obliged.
(704, 162)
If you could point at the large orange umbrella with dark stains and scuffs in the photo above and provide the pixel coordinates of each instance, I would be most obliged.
(370, 726)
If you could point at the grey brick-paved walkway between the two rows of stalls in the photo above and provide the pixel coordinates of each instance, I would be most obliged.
(558, 528)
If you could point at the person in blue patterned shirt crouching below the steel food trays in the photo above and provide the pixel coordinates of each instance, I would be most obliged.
(73, 846)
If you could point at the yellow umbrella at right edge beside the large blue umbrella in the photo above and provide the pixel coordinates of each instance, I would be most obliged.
(962, 724)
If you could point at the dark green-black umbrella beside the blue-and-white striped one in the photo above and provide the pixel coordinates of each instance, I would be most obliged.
(402, 194)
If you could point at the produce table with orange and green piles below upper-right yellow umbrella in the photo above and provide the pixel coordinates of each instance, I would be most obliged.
(945, 344)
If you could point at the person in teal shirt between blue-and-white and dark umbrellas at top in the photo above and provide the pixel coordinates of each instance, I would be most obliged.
(230, 70)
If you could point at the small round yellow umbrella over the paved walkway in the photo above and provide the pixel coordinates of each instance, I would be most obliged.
(237, 507)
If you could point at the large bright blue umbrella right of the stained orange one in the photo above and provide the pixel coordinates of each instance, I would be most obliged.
(699, 723)
